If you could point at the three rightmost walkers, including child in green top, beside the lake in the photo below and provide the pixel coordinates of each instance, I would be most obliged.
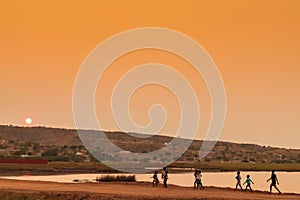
(248, 181)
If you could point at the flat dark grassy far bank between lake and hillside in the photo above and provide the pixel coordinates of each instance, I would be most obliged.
(60, 168)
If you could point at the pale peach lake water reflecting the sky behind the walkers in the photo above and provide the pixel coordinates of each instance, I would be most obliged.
(289, 181)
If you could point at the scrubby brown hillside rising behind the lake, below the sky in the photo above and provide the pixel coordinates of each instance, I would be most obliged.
(65, 145)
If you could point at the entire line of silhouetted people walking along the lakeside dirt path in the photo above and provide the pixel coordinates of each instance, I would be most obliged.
(198, 182)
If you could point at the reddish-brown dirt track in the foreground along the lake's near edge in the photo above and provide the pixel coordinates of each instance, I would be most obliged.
(15, 189)
